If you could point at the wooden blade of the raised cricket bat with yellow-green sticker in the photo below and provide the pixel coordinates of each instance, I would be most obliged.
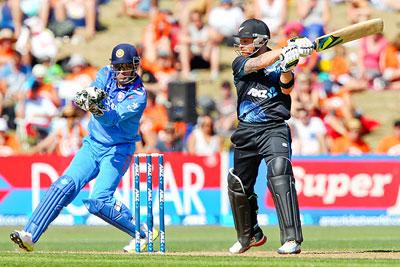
(349, 33)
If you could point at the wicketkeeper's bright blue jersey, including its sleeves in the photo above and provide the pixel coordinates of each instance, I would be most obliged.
(124, 107)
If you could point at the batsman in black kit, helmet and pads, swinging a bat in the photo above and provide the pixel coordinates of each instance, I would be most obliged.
(264, 79)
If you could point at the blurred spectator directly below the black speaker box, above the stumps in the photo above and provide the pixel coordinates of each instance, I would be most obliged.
(168, 141)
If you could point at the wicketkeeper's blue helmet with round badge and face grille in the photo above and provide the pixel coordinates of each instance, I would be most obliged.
(124, 63)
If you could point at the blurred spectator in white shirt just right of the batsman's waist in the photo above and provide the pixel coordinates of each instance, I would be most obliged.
(309, 134)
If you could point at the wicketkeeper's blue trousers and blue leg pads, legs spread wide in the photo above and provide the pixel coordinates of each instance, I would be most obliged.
(93, 160)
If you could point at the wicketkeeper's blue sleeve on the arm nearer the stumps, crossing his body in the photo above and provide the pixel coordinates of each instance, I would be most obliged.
(132, 106)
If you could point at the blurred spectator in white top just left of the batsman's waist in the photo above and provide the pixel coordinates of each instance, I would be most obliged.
(203, 140)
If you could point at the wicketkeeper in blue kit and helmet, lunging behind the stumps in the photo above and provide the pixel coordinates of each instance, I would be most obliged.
(116, 100)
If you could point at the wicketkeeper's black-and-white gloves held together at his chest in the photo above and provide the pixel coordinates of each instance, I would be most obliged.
(90, 99)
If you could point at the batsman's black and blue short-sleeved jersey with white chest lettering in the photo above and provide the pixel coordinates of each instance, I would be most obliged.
(260, 99)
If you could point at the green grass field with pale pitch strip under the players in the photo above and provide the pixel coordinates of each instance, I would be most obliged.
(206, 246)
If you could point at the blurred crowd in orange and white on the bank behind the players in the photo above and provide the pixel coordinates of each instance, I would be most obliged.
(37, 87)
